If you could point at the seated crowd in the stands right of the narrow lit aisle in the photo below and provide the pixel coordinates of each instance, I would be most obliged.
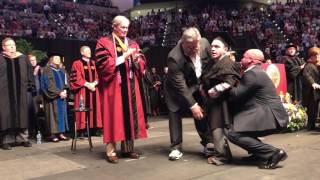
(297, 22)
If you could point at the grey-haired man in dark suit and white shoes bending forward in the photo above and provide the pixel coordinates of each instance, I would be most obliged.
(185, 62)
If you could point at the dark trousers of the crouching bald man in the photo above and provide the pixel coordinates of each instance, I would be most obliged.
(251, 143)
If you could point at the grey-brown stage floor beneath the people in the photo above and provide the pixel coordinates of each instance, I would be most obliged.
(52, 161)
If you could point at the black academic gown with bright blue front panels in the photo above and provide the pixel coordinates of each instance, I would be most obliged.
(54, 81)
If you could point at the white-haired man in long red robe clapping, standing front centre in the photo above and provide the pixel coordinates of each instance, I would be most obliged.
(120, 68)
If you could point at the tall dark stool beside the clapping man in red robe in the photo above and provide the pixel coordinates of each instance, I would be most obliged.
(75, 136)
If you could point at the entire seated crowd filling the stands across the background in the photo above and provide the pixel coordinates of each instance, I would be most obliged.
(270, 26)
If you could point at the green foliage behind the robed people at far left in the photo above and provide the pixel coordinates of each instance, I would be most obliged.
(26, 48)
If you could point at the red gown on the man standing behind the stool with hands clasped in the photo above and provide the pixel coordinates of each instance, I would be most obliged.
(82, 72)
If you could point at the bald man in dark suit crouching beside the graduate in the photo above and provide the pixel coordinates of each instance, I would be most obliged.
(258, 111)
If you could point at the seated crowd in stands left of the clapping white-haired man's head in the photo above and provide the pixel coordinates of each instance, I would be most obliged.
(54, 20)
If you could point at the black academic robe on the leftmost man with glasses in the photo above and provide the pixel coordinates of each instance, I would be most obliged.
(16, 81)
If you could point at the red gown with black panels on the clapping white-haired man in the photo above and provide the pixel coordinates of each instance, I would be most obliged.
(122, 109)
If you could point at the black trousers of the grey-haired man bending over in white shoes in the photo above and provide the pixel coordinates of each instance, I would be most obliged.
(175, 127)
